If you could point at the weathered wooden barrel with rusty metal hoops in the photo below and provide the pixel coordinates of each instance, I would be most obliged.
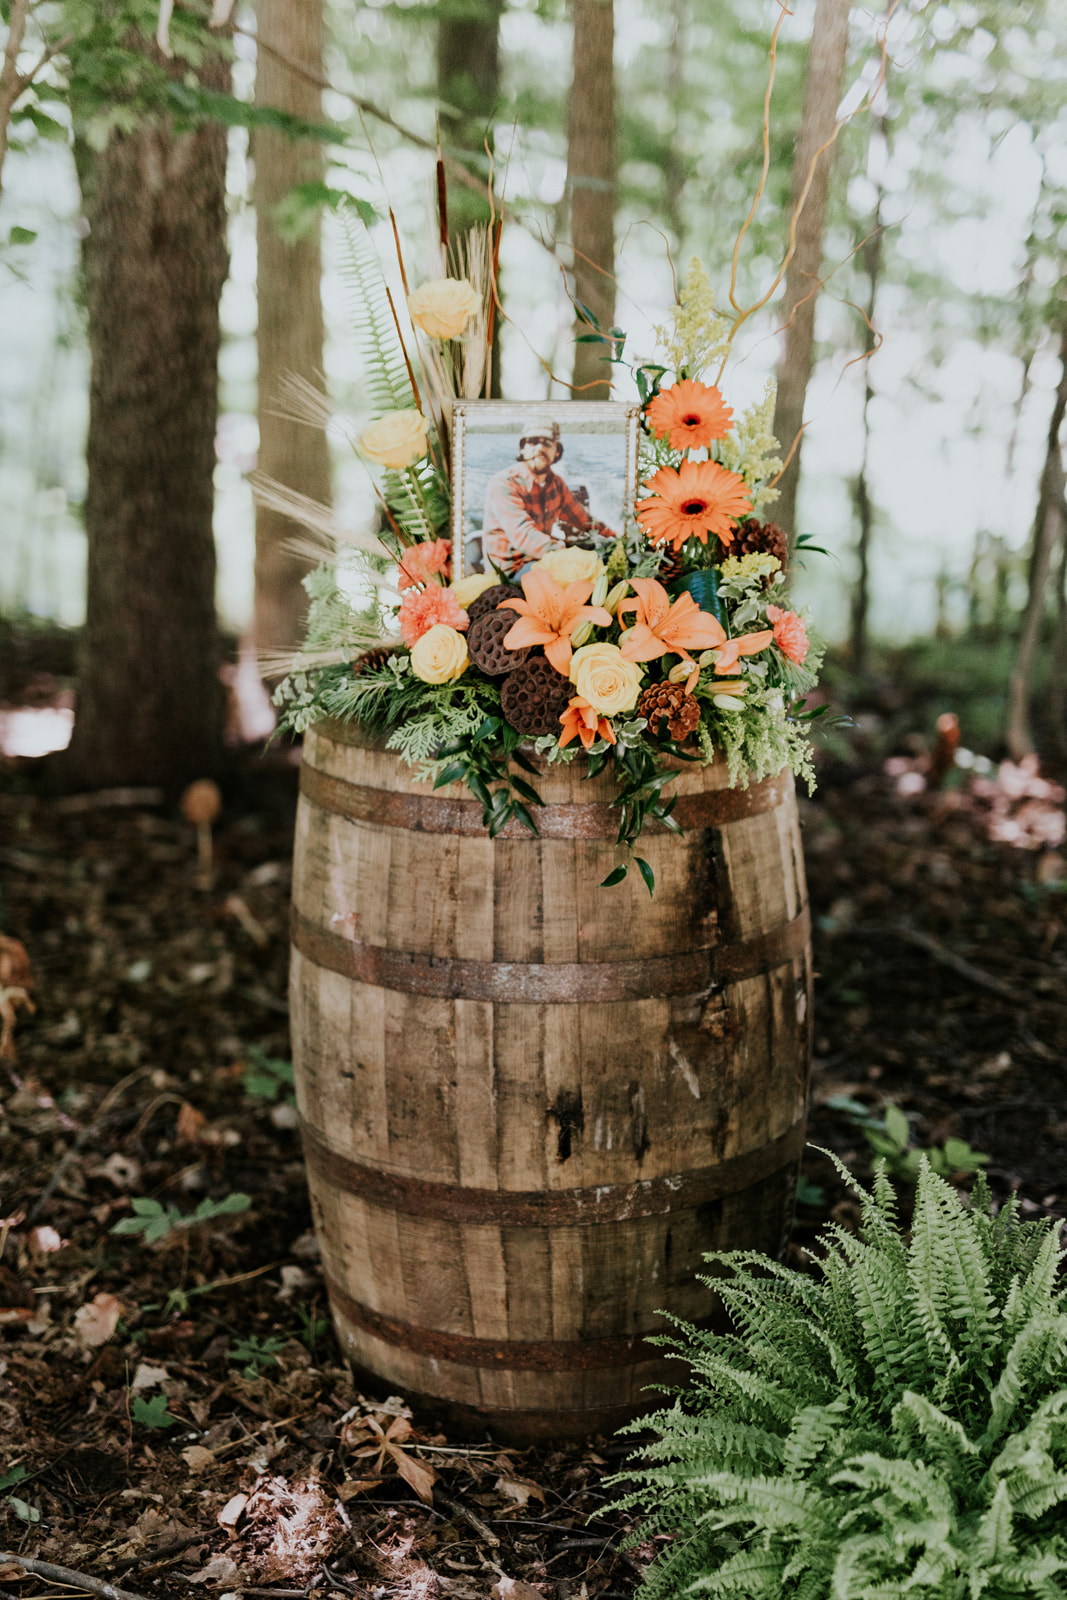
(530, 1105)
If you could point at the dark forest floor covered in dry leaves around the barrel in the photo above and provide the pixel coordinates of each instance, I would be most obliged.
(175, 1412)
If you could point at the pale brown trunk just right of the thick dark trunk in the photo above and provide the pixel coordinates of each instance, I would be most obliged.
(290, 335)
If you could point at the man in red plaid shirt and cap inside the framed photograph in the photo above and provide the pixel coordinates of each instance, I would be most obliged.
(529, 510)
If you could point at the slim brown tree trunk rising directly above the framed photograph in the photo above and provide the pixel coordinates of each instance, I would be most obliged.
(591, 182)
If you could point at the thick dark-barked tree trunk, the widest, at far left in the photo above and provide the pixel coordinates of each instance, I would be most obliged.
(150, 695)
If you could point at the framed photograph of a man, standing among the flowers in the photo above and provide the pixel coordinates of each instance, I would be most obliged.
(530, 478)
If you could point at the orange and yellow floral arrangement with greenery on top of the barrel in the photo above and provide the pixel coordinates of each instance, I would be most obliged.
(673, 641)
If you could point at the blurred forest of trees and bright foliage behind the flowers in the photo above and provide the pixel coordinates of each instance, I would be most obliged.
(933, 393)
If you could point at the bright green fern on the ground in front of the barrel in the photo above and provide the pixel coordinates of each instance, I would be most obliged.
(892, 1428)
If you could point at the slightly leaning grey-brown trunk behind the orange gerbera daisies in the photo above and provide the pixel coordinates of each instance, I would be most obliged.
(826, 71)
